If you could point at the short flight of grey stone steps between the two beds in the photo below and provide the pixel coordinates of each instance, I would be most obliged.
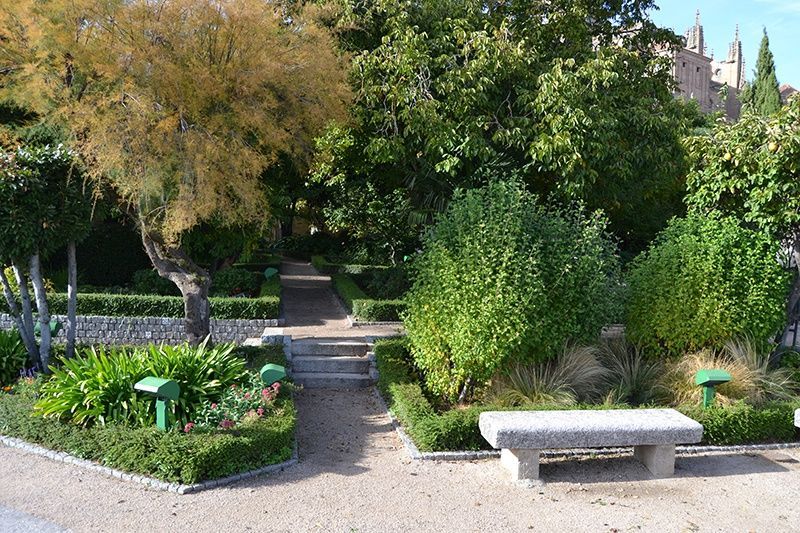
(331, 363)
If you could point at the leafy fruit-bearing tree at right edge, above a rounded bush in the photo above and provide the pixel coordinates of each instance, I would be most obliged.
(751, 170)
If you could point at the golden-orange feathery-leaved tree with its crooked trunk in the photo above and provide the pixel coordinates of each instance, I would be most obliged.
(178, 105)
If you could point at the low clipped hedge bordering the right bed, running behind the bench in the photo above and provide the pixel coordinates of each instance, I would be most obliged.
(457, 429)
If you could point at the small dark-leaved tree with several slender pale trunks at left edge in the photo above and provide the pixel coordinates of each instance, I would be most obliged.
(43, 204)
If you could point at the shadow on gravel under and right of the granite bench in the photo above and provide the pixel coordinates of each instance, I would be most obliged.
(615, 469)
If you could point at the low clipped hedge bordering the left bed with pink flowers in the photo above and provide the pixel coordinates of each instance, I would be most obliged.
(173, 456)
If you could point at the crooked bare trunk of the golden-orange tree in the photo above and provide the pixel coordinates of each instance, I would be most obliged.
(173, 264)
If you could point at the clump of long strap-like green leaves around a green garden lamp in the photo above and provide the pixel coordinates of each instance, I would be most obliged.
(96, 386)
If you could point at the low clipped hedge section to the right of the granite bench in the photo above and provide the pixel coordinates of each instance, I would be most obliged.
(742, 423)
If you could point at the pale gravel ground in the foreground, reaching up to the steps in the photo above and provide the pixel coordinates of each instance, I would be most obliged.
(354, 475)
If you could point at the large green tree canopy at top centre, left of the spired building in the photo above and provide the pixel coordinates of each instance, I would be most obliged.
(575, 94)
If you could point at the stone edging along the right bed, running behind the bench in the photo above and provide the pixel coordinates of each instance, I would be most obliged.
(468, 455)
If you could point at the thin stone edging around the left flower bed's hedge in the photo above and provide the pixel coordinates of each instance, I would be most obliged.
(149, 482)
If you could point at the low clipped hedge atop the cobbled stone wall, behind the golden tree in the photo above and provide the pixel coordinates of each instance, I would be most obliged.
(134, 305)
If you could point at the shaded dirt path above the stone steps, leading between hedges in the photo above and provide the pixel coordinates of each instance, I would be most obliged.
(312, 310)
